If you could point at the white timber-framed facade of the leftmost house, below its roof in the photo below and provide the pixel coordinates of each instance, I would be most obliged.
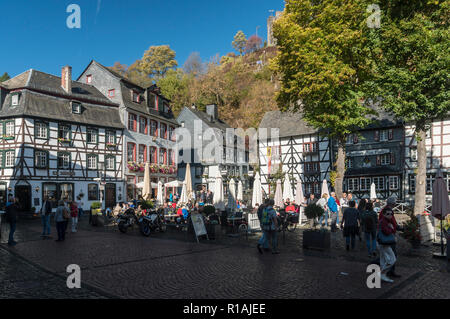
(36, 169)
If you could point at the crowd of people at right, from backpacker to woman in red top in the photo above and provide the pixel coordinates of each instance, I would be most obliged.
(359, 217)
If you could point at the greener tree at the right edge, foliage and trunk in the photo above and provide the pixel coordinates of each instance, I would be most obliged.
(411, 50)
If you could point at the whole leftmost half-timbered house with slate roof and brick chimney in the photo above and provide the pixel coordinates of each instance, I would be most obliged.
(59, 138)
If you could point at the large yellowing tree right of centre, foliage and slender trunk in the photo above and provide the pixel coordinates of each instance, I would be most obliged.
(323, 64)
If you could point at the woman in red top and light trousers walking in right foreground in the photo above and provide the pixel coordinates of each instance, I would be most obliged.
(386, 237)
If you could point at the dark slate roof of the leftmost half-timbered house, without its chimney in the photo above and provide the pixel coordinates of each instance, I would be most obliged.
(41, 96)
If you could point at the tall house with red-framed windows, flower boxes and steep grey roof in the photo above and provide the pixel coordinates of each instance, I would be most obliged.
(150, 134)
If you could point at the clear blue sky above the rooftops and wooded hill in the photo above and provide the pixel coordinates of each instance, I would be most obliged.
(35, 35)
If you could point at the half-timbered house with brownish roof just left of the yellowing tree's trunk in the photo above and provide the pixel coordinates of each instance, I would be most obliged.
(298, 150)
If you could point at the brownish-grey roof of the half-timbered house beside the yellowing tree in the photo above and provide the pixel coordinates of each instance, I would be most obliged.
(289, 124)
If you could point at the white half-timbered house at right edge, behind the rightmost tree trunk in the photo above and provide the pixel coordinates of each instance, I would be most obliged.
(438, 156)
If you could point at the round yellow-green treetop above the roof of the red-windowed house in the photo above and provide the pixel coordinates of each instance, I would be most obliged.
(157, 60)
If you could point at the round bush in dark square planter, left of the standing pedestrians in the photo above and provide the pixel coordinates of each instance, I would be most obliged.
(314, 238)
